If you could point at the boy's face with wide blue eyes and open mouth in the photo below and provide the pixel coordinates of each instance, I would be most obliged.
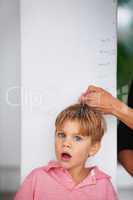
(73, 149)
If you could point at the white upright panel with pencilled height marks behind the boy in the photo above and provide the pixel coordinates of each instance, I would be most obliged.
(65, 46)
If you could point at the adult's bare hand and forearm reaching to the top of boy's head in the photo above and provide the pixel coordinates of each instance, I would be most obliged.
(103, 101)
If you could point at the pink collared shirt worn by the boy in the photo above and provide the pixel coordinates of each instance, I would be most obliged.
(52, 182)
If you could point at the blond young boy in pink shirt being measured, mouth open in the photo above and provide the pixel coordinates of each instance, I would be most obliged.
(78, 133)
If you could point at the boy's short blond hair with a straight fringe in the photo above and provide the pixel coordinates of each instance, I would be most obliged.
(91, 122)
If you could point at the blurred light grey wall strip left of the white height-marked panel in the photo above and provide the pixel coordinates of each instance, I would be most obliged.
(9, 77)
